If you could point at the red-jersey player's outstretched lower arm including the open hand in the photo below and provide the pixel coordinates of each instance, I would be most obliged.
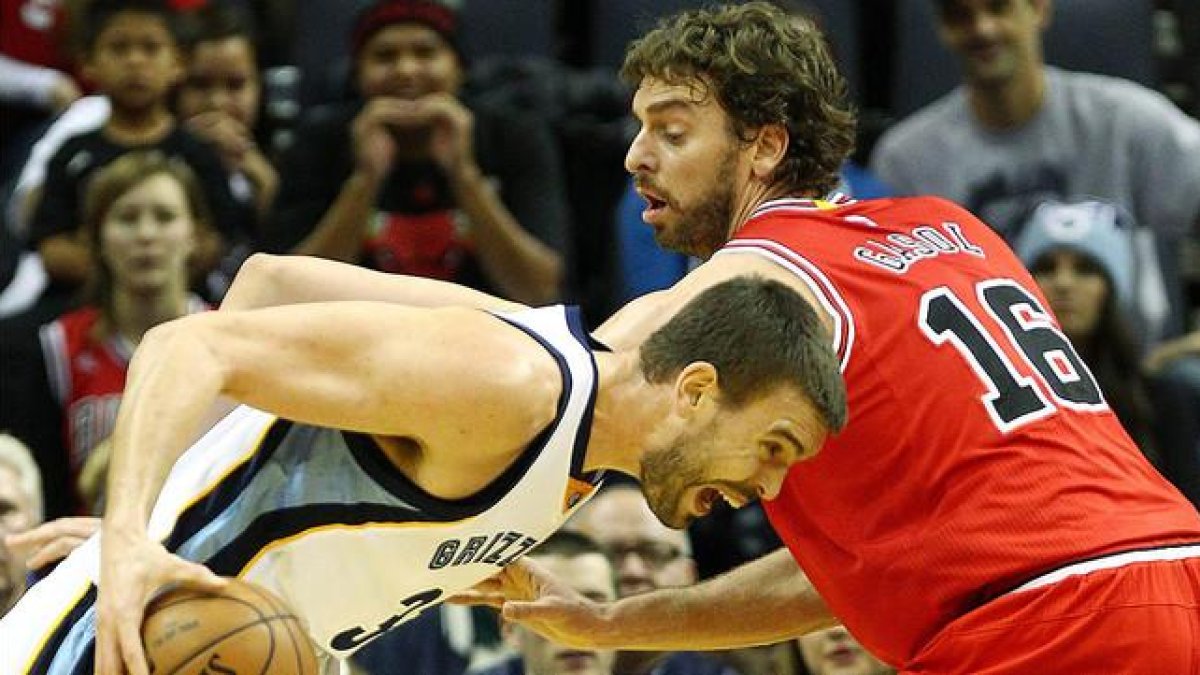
(763, 602)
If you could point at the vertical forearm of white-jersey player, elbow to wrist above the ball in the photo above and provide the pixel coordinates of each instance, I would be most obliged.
(173, 383)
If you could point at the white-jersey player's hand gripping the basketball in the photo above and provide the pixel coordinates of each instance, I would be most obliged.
(133, 570)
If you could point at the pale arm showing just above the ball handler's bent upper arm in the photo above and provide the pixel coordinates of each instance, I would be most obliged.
(267, 280)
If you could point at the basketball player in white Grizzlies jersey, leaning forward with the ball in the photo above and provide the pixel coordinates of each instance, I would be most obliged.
(388, 457)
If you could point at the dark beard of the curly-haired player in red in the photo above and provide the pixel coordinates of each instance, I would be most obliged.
(706, 228)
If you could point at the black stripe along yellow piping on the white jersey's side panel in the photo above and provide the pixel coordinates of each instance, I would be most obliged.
(287, 523)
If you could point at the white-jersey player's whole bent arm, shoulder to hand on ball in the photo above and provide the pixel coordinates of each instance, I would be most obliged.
(331, 365)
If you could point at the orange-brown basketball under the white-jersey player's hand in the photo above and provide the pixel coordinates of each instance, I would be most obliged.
(244, 629)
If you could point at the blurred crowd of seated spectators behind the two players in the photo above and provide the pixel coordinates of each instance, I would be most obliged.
(149, 148)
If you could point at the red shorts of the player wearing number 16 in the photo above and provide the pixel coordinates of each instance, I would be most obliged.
(1139, 619)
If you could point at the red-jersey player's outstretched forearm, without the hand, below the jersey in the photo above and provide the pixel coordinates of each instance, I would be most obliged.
(763, 602)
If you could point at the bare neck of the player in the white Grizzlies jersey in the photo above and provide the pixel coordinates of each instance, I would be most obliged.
(627, 411)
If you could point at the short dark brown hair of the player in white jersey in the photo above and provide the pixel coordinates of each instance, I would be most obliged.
(759, 334)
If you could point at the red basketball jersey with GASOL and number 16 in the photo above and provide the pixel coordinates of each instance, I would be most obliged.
(980, 452)
